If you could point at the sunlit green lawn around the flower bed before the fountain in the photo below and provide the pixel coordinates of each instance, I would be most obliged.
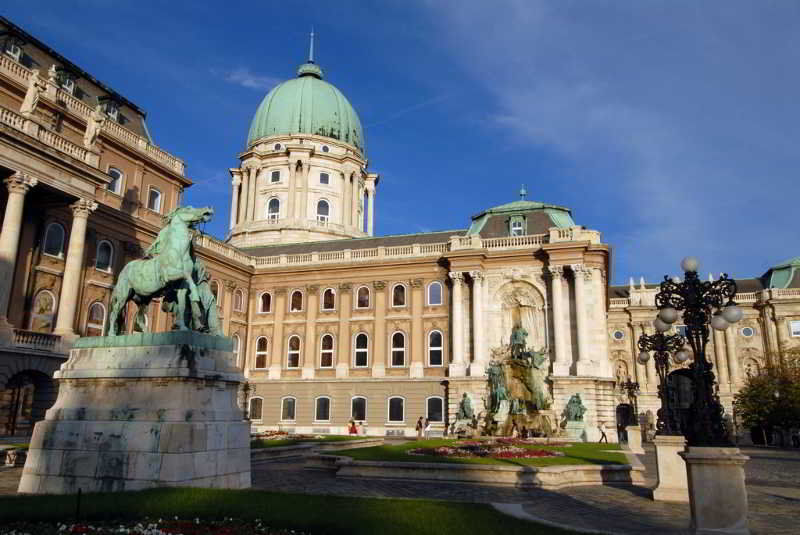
(577, 453)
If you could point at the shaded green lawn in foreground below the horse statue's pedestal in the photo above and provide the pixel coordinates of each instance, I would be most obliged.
(315, 514)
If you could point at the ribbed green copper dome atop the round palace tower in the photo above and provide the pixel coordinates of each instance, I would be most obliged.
(307, 105)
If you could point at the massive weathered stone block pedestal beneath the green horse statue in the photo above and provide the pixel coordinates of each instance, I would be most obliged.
(141, 411)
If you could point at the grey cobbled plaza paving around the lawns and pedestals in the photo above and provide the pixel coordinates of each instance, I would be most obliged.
(773, 483)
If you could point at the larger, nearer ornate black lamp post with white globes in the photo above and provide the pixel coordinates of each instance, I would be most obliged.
(703, 303)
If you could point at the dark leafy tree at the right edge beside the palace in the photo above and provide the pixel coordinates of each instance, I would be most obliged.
(771, 398)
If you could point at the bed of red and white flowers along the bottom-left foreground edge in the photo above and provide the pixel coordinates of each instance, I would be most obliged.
(176, 526)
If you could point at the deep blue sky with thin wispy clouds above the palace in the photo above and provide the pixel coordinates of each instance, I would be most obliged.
(669, 126)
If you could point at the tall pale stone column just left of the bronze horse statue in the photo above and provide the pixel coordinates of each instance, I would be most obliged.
(73, 267)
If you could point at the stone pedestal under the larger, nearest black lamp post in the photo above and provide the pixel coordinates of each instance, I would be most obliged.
(717, 494)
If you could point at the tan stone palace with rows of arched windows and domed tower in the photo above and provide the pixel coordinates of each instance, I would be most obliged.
(330, 322)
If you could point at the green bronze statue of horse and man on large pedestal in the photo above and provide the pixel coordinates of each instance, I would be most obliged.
(169, 271)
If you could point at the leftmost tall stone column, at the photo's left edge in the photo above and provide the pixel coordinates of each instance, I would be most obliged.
(18, 186)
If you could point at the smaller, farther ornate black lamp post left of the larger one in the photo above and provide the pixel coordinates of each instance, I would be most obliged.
(662, 345)
